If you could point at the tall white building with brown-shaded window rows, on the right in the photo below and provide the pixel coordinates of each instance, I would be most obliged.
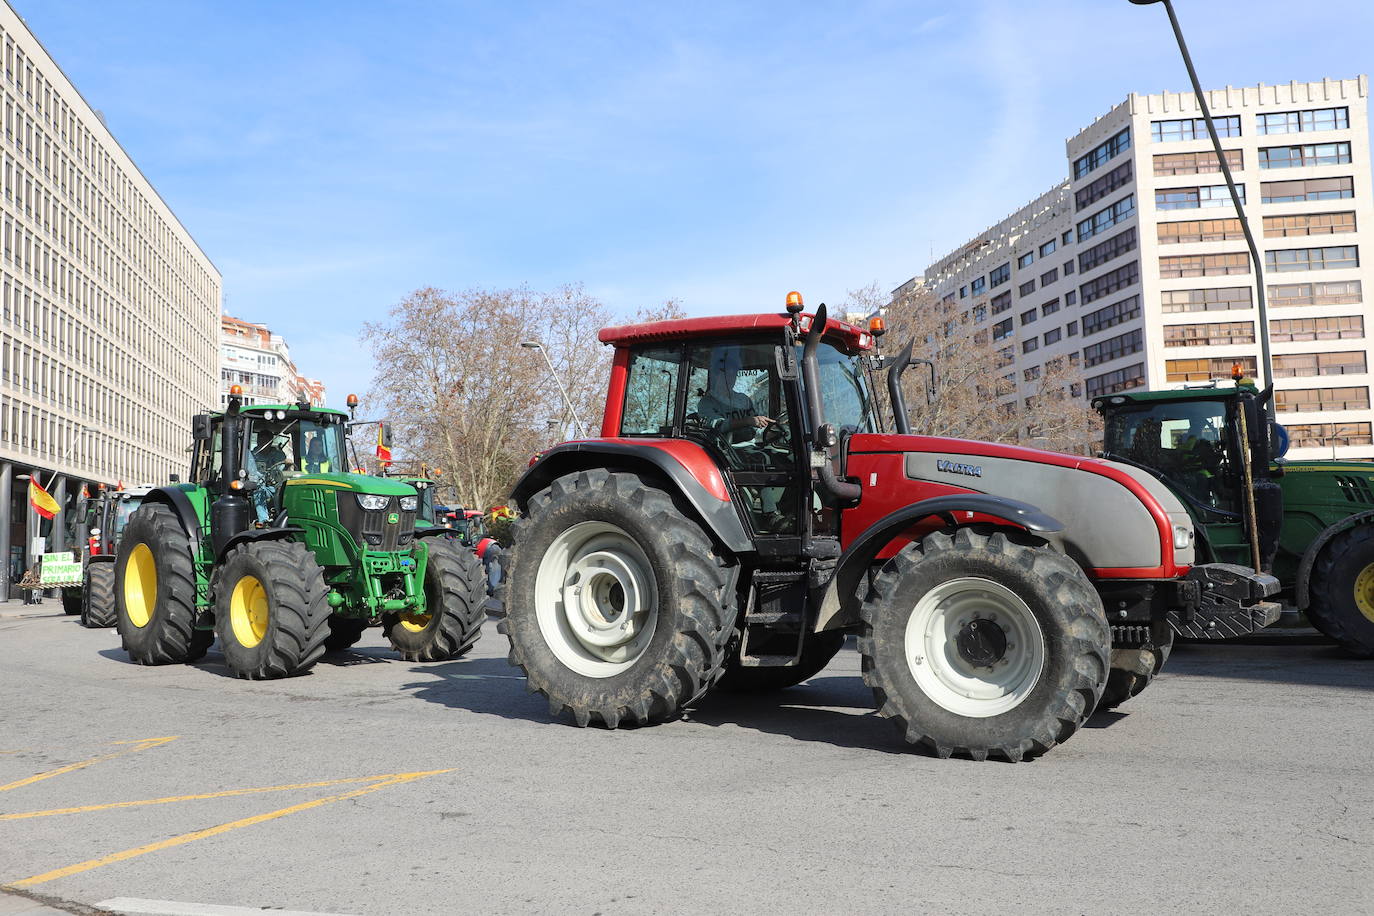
(1136, 268)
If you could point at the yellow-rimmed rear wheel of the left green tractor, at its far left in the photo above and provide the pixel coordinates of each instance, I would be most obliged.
(155, 587)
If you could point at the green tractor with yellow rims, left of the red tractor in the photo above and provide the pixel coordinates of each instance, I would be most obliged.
(282, 556)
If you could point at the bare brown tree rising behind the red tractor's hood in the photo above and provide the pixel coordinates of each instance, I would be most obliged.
(976, 395)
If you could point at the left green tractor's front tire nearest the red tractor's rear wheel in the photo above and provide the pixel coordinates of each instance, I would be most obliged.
(455, 590)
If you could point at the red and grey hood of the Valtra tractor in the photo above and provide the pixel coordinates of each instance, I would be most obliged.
(1116, 518)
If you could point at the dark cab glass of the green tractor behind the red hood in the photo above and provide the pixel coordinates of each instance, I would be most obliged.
(1186, 442)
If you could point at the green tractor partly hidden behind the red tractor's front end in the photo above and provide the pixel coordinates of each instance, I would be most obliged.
(1310, 524)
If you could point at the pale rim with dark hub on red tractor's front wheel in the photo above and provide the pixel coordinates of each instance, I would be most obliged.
(946, 675)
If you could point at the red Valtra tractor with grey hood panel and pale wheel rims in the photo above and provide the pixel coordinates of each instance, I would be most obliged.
(744, 510)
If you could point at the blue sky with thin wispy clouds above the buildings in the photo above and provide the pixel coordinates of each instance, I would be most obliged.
(332, 157)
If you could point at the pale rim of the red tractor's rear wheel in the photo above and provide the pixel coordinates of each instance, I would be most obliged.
(597, 601)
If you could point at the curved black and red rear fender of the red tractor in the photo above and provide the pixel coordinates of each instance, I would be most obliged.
(688, 466)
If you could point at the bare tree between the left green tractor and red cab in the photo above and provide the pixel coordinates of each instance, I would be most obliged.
(464, 396)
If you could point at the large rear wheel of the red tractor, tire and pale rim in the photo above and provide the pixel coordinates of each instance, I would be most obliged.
(618, 605)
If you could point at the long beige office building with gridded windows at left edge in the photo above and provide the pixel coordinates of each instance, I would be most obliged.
(109, 310)
